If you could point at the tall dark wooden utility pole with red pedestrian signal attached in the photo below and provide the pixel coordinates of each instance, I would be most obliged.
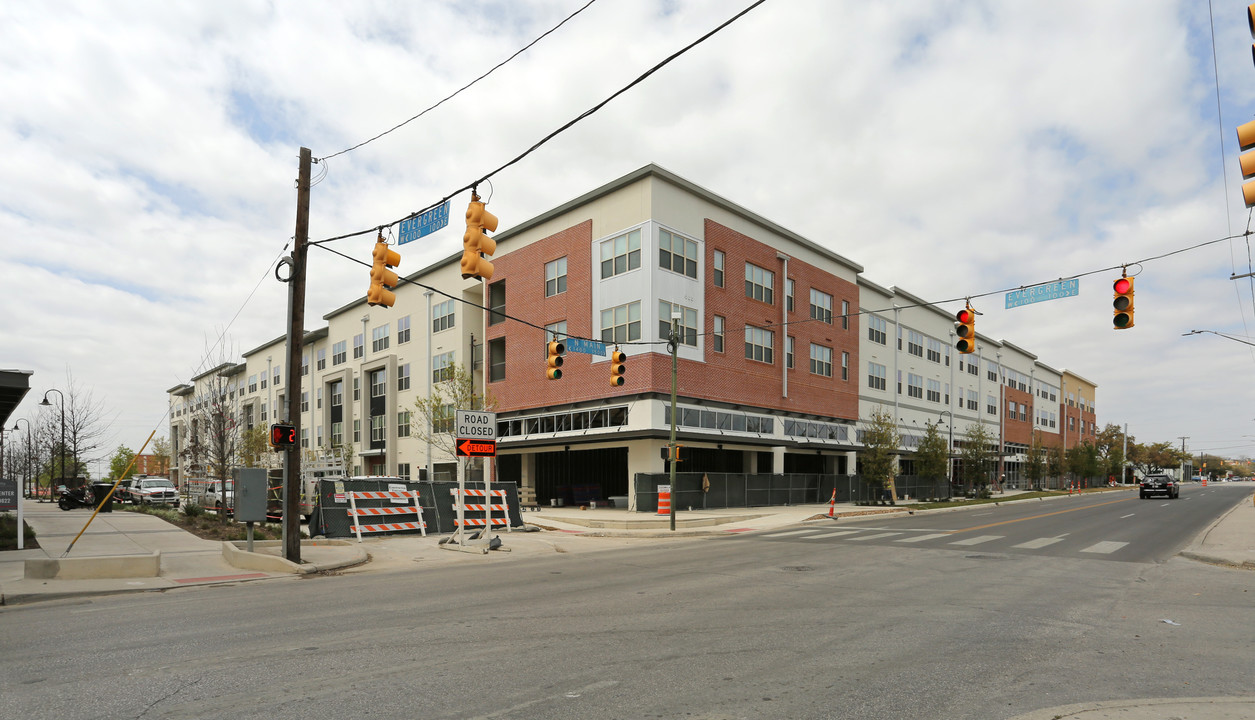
(296, 337)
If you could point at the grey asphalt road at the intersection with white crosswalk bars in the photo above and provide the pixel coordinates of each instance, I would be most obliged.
(744, 627)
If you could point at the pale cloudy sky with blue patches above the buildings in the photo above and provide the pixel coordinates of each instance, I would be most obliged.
(954, 149)
